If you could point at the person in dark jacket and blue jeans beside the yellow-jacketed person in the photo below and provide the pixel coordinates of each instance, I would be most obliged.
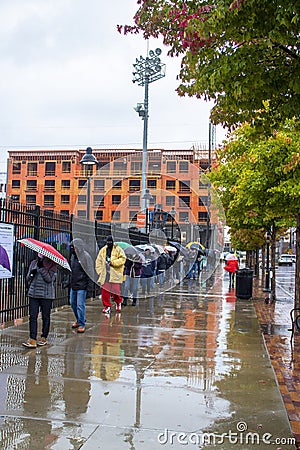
(82, 267)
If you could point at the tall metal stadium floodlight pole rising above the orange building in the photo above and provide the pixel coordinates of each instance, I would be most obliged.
(146, 70)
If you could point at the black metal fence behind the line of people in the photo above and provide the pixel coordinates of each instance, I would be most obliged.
(56, 229)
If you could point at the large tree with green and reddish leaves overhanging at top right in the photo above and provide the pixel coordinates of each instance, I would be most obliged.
(242, 54)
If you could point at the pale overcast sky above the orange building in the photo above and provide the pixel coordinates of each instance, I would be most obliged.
(66, 81)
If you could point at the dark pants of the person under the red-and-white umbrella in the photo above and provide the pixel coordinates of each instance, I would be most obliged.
(35, 304)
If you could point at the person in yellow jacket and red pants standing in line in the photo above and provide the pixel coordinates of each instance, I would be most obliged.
(110, 267)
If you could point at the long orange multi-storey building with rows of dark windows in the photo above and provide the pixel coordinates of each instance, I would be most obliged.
(55, 180)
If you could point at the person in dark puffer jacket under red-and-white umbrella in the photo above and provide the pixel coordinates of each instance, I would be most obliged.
(41, 280)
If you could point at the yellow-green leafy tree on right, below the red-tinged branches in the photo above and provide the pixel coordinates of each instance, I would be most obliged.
(259, 182)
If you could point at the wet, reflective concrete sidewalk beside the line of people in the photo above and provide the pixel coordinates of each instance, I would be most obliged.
(185, 369)
